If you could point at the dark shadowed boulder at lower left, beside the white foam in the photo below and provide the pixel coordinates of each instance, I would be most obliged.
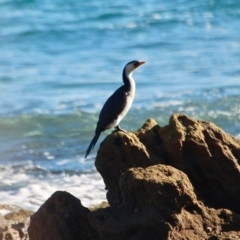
(61, 217)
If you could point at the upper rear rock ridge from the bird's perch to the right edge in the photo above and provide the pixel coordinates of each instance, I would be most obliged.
(207, 154)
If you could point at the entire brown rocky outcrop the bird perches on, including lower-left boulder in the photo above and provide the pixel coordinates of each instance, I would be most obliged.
(177, 182)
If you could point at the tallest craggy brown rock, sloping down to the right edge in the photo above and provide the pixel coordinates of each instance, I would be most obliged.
(208, 155)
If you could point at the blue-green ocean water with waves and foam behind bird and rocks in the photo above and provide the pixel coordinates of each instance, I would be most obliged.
(60, 60)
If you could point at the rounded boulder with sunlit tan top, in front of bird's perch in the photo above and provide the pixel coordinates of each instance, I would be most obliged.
(160, 186)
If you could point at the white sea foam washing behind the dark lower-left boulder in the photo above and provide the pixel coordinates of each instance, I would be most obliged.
(30, 192)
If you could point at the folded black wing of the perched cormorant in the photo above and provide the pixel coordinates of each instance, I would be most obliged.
(112, 108)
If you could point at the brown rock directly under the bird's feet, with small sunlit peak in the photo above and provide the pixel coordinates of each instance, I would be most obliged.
(121, 151)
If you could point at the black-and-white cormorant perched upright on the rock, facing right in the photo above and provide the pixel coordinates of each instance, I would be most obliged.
(117, 105)
